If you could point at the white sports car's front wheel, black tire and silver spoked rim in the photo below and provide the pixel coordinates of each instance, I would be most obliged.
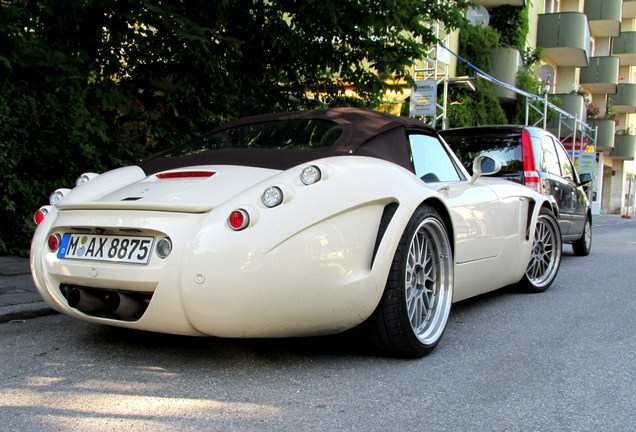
(546, 254)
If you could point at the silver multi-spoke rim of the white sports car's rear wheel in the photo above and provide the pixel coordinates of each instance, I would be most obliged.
(429, 280)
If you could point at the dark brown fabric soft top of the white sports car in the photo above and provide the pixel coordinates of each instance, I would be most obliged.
(364, 132)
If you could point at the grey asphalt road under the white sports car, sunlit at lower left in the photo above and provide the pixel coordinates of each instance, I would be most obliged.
(562, 360)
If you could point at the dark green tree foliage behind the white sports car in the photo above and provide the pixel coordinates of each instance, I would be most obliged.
(91, 84)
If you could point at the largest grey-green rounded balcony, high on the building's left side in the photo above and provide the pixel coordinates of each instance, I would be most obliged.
(565, 38)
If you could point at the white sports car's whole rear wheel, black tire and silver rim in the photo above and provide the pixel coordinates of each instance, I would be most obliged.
(412, 315)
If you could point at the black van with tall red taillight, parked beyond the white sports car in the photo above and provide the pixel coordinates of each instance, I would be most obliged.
(533, 157)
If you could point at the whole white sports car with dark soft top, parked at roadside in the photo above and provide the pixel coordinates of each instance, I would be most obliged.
(294, 224)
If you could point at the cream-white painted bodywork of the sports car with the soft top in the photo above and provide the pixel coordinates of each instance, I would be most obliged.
(292, 272)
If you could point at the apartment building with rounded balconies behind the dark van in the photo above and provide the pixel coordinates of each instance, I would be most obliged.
(588, 61)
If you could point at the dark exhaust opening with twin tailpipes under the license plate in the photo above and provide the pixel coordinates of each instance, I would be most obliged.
(112, 304)
